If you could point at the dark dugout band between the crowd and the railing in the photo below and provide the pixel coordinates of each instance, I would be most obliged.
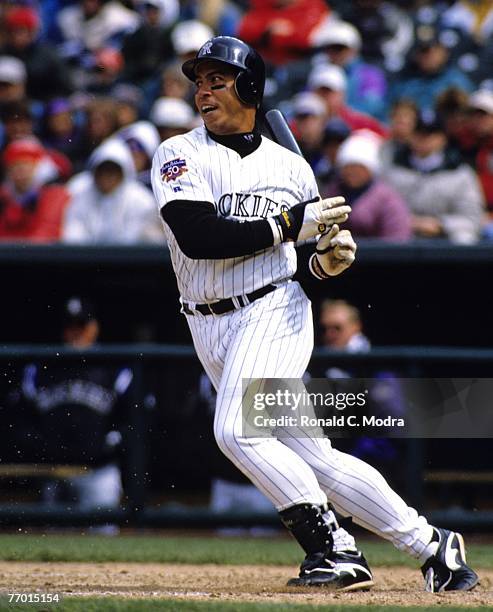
(421, 293)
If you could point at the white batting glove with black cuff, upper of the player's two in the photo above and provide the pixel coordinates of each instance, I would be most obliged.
(308, 219)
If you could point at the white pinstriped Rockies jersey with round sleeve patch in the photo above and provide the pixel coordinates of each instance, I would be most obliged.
(194, 167)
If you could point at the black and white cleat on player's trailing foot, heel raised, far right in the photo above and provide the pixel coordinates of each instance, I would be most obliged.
(446, 570)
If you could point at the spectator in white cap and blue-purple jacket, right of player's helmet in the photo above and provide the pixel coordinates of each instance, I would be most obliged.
(366, 88)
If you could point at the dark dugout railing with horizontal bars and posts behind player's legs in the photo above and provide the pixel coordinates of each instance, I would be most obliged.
(136, 511)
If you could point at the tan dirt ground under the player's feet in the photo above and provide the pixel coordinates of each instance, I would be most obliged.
(395, 586)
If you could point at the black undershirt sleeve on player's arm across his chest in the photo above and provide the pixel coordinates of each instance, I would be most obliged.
(201, 234)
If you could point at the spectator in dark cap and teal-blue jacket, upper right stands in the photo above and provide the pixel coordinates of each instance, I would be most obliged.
(428, 72)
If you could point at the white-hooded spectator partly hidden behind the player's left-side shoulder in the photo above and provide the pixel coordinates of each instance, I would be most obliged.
(142, 138)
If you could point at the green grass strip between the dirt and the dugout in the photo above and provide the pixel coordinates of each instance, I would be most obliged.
(172, 549)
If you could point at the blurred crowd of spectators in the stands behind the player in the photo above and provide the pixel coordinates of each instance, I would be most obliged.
(391, 102)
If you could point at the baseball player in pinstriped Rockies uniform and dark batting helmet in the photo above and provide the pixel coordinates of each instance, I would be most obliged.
(234, 204)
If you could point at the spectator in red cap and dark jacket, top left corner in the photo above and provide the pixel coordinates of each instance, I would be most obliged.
(47, 75)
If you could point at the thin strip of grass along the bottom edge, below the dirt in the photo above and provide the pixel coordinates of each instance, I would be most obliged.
(100, 604)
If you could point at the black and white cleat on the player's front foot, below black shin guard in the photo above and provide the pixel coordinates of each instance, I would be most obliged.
(343, 571)
